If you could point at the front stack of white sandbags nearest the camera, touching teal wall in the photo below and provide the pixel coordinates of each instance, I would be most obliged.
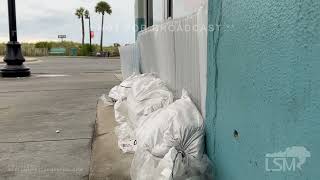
(171, 144)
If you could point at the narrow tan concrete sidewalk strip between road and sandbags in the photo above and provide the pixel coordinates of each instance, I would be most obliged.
(107, 160)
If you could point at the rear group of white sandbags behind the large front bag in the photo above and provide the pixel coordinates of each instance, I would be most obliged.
(138, 95)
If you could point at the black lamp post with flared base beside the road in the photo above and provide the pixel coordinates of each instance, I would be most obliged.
(14, 57)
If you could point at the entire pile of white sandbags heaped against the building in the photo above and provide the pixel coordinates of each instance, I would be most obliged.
(167, 137)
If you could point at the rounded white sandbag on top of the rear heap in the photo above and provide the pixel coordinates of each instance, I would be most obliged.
(147, 95)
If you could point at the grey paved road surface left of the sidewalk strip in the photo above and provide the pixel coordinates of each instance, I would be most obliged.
(61, 95)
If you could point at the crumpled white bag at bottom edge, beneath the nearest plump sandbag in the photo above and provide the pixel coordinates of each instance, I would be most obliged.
(174, 166)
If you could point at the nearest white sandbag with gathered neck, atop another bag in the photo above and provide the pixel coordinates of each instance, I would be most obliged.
(179, 125)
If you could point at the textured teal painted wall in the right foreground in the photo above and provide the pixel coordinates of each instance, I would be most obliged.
(263, 82)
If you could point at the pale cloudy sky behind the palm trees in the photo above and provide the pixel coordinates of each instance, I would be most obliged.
(46, 19)
